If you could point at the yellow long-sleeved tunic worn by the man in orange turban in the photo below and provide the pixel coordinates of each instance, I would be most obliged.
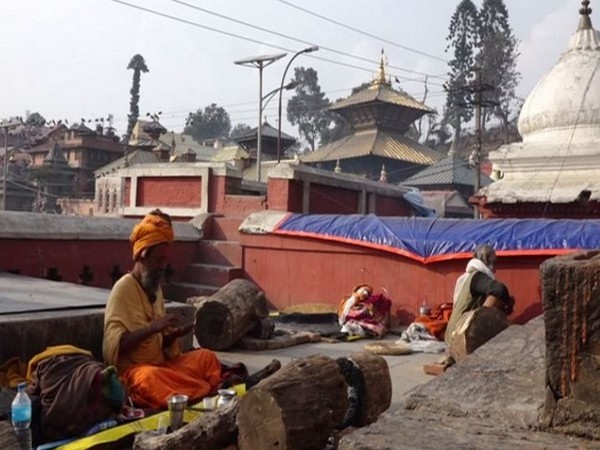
(128, 309)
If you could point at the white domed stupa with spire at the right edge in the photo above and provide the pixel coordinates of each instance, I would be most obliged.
(555, 171)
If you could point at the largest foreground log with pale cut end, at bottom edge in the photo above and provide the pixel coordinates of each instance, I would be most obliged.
(297, 408)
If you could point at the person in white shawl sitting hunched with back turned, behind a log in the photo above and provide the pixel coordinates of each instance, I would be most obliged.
(478, 287)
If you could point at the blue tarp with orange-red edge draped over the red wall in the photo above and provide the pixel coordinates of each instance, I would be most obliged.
(429, 240)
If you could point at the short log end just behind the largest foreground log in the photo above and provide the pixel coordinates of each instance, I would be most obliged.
(377, 396)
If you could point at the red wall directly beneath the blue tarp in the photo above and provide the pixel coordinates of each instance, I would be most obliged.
(298, 270)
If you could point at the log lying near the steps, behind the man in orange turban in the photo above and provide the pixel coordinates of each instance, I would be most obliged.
(226, 316)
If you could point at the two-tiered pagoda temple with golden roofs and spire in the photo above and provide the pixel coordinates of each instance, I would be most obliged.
(380, 118)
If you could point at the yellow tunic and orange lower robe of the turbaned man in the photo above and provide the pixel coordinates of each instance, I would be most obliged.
(151, 373)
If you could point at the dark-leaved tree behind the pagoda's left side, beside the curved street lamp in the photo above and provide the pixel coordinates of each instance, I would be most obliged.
(308, 107)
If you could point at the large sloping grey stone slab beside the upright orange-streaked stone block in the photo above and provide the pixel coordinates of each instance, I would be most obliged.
(490, 400)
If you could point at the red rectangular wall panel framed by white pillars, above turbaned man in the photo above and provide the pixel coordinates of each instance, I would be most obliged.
(169, 191)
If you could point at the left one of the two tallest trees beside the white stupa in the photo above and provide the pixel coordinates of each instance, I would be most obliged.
(462, 38)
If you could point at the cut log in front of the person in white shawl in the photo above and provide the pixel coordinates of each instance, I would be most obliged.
(475, 328)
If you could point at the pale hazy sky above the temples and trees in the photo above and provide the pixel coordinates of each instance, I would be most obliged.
(68, 58)
